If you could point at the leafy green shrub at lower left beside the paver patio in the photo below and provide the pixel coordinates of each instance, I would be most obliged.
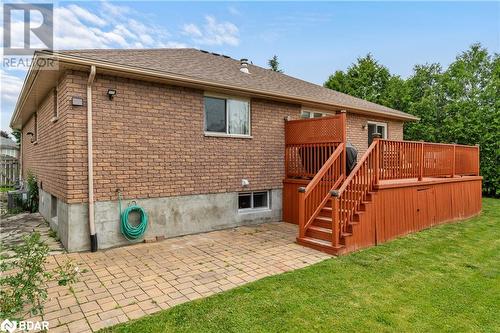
(24, 278)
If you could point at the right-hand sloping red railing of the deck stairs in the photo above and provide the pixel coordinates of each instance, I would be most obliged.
(355, 189)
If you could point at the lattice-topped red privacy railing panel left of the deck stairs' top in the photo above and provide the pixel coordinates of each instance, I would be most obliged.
(309, 143)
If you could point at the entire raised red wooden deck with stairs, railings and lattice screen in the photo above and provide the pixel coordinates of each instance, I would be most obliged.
(396, 188)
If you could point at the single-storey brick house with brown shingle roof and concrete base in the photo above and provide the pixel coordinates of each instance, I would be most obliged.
(195, 138)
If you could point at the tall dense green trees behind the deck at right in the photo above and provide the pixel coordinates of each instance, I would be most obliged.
(460, 104)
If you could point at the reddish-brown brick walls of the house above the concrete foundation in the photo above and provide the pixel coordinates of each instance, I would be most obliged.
(149, 142)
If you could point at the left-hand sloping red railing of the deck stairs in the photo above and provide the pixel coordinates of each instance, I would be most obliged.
(316, 194)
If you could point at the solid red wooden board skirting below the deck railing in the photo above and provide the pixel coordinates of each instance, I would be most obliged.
(405, 206)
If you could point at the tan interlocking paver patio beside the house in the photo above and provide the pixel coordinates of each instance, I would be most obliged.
(129, 282)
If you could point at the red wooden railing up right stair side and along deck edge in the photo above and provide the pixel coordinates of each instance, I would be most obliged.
(387, 159)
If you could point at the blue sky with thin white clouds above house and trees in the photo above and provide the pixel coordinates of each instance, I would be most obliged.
(311, 39)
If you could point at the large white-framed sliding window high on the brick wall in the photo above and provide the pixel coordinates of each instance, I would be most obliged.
(229, 116)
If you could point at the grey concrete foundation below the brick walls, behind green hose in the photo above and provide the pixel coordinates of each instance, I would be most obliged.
(167, 217)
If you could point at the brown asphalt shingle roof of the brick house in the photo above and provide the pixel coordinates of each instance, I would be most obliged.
(206, 66)
